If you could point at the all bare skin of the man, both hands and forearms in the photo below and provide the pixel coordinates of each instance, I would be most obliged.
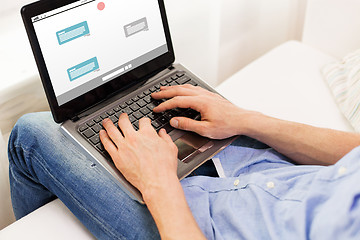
(134, 154)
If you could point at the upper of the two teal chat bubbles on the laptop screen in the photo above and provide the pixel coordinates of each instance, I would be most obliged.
(73, 32)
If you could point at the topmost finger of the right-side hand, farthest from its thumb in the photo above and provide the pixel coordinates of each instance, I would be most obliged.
(172, 91)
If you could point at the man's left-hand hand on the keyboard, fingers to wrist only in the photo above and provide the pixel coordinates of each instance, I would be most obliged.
(138, 154)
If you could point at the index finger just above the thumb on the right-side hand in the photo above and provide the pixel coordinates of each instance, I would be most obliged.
(193, 102)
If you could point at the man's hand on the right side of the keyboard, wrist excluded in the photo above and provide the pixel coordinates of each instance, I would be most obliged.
(220, 119)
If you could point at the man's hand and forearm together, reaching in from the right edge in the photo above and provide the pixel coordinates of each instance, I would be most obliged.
(221, 119)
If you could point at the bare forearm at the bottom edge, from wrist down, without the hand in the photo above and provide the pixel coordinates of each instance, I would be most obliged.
(171, 213)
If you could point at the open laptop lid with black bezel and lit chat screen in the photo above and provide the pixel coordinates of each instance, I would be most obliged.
(88, 50)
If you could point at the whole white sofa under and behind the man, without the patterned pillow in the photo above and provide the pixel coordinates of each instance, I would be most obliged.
(284, 83)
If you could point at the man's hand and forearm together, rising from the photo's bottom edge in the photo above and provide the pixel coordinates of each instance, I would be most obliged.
(148, 160)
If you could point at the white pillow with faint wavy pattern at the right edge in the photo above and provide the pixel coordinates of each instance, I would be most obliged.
(343, 78)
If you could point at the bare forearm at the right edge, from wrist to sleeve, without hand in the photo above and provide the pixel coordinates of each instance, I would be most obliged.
(302, 143)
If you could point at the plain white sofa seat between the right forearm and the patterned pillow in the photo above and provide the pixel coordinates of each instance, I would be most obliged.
(287, 83)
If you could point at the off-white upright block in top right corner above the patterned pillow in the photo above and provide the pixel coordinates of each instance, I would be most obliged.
(341, 17)
